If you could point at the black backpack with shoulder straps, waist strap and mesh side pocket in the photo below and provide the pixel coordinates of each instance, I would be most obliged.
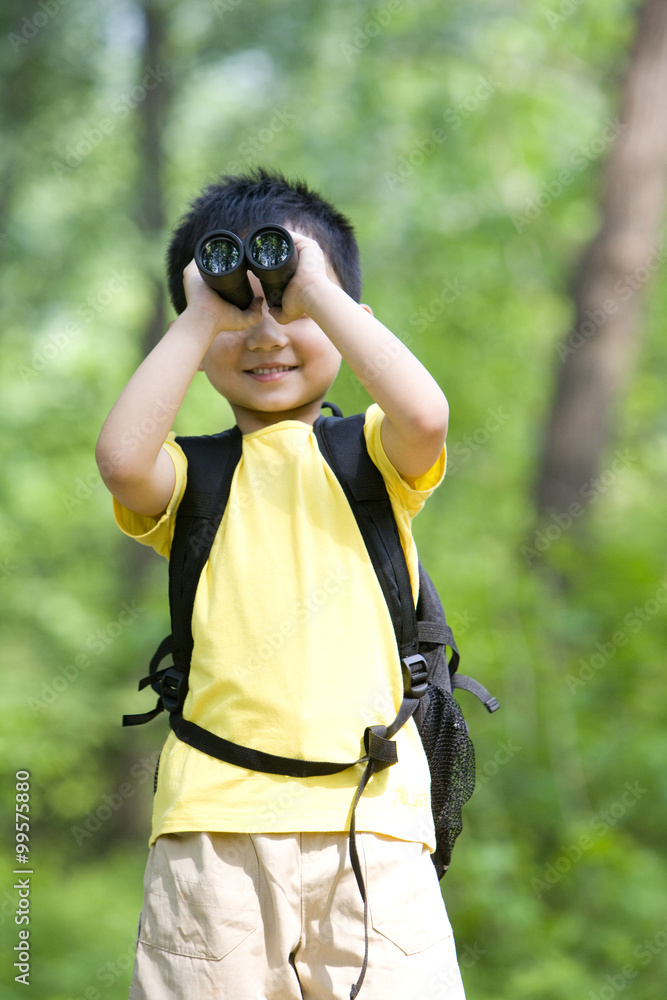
(422, 633)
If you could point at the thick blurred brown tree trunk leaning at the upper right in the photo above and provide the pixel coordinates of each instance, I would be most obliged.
(598, 354)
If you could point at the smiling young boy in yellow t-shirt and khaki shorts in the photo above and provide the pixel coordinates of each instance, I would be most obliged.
(249, 893)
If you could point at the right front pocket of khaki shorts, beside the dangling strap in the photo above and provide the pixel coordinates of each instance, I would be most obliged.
(405, 902)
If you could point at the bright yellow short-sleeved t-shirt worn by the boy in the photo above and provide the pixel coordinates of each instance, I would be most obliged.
(294, 650)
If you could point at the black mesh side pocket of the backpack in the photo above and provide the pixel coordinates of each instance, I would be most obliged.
(451, 758)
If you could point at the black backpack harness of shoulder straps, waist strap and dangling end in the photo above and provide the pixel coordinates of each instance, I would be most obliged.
(211, 464)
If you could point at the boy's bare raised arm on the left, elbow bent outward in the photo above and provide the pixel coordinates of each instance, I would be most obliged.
(133, 464)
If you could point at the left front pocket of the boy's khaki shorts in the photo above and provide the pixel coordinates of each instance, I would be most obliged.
(200, 894)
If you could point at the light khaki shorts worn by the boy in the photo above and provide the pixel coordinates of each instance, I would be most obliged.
(280, 917)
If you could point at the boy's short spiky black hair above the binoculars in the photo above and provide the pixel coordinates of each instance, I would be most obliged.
(241, 203)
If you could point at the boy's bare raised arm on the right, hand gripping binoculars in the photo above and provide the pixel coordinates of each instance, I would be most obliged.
(416, 409)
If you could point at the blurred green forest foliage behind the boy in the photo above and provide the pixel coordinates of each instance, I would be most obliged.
(442, 131)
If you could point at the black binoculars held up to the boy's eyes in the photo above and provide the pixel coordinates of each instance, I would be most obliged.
(224, 260)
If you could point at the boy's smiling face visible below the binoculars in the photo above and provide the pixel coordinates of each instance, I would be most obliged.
(272, 372)
